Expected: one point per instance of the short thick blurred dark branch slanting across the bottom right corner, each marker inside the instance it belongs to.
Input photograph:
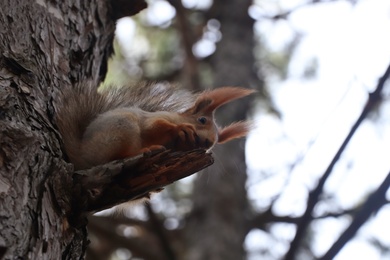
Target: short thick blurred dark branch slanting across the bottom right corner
(372, 205)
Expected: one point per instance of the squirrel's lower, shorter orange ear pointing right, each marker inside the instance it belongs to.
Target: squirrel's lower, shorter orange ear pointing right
(233, 131)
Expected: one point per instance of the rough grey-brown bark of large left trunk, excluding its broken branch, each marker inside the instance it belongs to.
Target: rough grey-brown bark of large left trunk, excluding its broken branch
(44, 45)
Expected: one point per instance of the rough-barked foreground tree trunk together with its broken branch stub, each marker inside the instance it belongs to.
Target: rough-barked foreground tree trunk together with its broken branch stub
(44, 46)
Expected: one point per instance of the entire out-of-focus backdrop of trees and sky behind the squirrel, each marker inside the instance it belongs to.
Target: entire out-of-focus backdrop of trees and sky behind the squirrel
(311, 180)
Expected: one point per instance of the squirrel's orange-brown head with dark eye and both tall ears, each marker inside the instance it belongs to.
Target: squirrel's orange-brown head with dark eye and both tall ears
(202, 116)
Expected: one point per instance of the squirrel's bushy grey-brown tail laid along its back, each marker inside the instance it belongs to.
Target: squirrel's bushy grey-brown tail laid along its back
(77, 107)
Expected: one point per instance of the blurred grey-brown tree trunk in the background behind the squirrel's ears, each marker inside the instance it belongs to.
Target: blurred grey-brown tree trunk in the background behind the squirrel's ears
(217, 226)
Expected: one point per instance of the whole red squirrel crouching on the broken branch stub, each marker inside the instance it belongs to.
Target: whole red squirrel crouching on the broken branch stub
(116, 123)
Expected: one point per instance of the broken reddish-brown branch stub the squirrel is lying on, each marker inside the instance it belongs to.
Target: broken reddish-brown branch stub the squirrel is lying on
(108, 185)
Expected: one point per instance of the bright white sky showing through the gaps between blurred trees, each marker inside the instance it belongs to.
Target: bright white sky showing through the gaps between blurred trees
(351, 46)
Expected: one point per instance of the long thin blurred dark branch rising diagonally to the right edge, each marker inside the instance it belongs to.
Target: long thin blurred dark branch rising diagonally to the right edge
(374, 99)
